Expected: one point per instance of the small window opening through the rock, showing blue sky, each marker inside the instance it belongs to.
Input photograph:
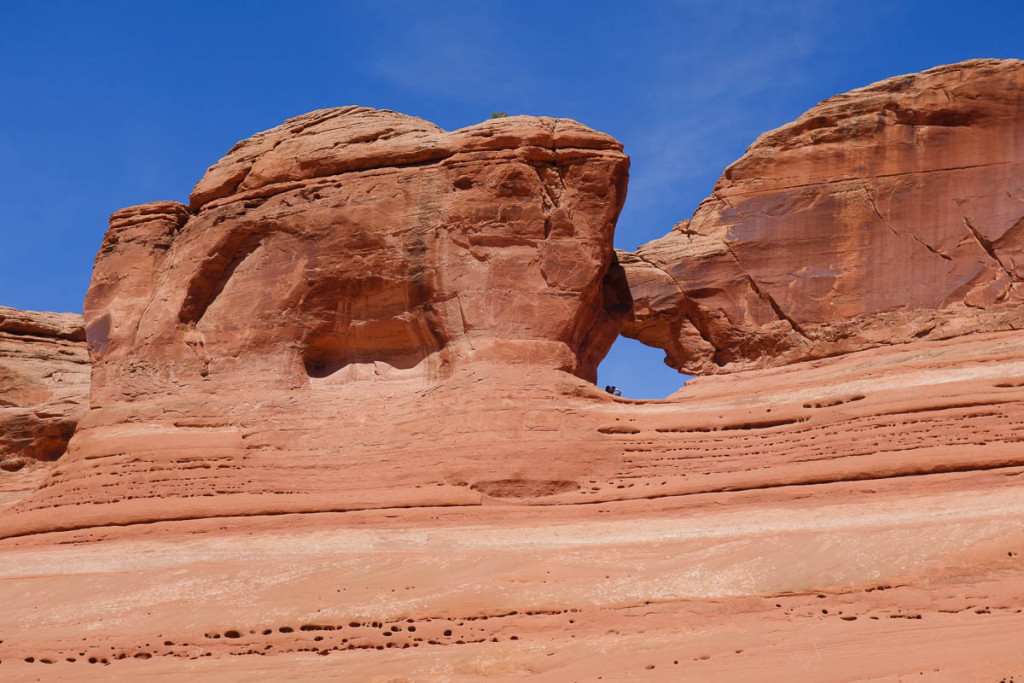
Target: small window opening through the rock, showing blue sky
(639, 371)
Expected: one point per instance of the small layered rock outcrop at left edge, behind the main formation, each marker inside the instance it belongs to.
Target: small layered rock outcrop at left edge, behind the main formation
(45, 392)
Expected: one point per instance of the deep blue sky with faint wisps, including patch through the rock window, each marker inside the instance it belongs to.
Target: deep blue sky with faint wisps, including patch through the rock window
(107, 105)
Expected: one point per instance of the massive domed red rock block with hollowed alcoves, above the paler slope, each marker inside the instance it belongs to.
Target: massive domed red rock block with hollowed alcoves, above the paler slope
(352, 244)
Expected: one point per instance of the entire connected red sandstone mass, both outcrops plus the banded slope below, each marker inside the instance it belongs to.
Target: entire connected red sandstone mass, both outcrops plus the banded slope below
(344, 422)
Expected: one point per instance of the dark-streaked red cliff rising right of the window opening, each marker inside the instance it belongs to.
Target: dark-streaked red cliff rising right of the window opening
(891, 214)
